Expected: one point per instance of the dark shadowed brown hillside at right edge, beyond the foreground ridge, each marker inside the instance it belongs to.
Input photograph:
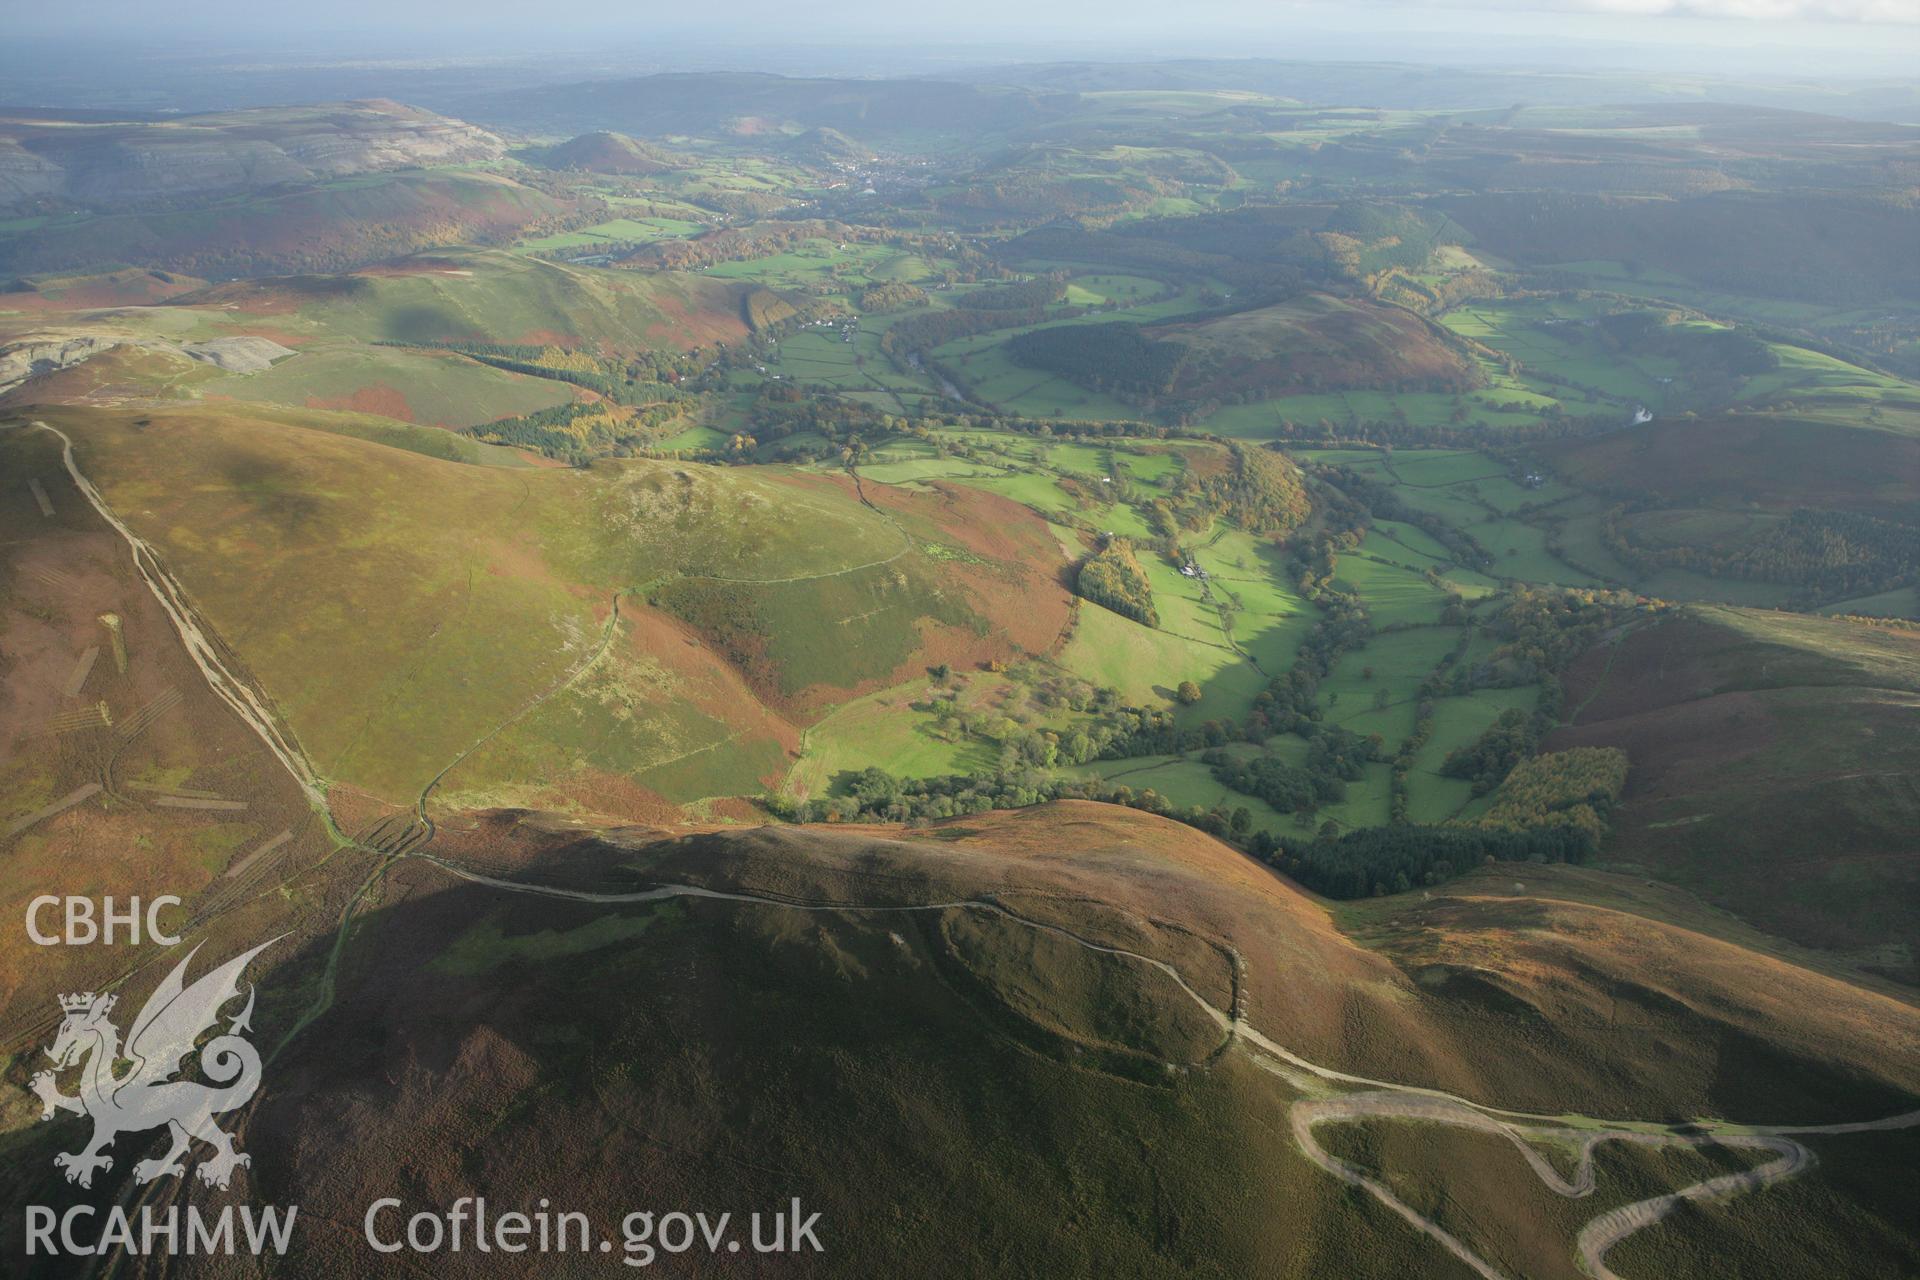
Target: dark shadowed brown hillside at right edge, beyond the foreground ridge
(1773, 770)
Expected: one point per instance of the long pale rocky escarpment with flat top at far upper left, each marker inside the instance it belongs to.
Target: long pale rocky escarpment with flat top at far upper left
(132, 164)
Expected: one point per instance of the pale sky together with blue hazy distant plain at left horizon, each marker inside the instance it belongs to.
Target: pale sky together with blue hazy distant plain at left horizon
(233, 53)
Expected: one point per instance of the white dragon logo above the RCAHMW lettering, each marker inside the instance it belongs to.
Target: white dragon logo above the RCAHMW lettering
(145, 1097)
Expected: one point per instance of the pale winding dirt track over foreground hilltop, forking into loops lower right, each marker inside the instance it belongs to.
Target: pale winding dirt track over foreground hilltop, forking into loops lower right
(1383, 1099)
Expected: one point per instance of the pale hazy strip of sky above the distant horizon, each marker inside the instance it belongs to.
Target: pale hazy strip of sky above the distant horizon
(1714, 37)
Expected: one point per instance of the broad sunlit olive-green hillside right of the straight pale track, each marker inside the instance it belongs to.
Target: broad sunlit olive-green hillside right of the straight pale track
(402, 607)
